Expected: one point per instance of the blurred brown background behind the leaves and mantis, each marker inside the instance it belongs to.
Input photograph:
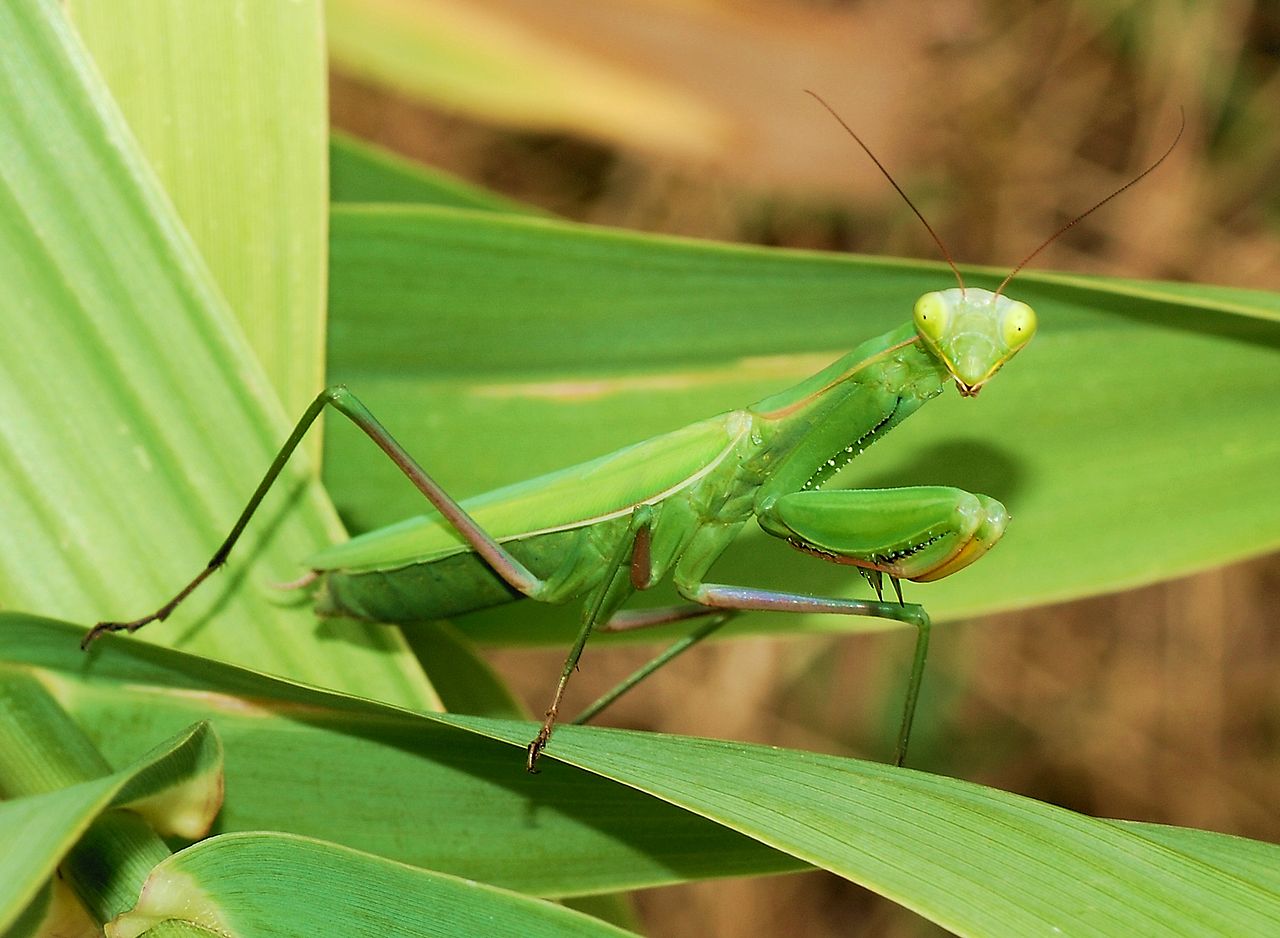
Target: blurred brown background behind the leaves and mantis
(1003, 121)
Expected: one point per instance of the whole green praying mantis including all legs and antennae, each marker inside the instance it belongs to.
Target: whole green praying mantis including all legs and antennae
(673, 505)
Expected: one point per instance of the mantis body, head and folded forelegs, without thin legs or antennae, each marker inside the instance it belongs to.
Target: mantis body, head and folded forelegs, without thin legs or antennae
(696, 488)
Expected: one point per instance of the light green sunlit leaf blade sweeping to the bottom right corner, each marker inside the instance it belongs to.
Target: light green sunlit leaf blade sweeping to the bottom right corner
(976, 861)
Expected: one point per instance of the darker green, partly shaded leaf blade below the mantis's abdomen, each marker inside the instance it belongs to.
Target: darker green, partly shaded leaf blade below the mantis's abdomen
(385, 781)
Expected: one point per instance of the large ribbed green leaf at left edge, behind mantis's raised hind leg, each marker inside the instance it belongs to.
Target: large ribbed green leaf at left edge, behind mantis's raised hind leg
(134, 419)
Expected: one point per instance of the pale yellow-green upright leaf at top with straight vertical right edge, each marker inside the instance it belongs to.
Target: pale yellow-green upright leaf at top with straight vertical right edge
(231, 113)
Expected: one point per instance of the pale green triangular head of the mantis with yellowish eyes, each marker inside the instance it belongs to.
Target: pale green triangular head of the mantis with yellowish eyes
(973, 332)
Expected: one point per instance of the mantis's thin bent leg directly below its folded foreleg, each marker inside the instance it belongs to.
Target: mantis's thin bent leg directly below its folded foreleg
(742, 598)
